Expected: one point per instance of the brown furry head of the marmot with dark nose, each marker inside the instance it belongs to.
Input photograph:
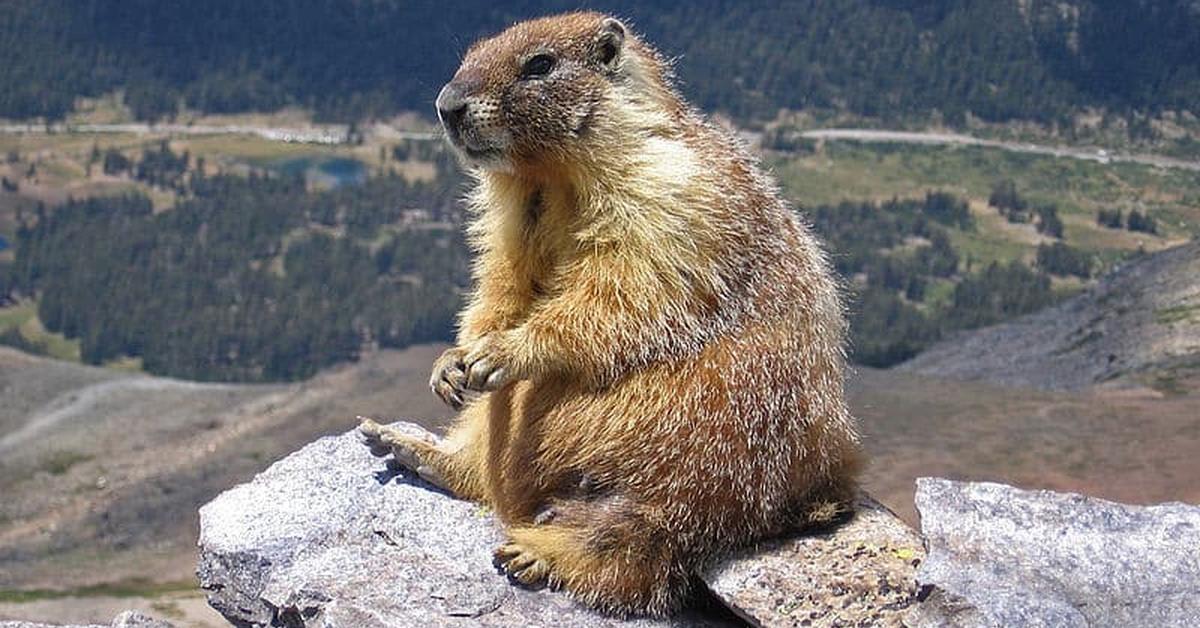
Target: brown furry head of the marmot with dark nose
(536, 92)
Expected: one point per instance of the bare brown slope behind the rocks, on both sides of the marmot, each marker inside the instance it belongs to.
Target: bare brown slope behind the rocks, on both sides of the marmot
(106, 469)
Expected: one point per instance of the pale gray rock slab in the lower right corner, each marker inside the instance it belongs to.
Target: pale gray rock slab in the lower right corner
(1003, 557)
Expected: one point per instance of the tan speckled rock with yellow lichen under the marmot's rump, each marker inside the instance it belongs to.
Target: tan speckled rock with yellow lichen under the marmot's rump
(860, 575)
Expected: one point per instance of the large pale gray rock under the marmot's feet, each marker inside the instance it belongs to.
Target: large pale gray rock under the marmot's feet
(333, 537)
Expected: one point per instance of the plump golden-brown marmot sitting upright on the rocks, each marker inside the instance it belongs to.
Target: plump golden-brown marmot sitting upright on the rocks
(658, 339)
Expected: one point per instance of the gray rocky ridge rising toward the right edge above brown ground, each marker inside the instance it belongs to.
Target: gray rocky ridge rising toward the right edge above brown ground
(1138, 326)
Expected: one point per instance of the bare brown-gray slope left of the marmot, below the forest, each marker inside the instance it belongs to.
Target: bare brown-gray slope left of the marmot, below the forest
(109, 468)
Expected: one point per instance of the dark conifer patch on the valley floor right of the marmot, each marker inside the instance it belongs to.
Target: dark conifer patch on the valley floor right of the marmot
(896, 253)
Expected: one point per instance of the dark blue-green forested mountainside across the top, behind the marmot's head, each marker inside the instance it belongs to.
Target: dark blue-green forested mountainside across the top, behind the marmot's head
(351, 59)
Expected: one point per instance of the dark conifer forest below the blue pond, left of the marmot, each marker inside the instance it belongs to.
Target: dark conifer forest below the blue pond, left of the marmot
(250, 278)
